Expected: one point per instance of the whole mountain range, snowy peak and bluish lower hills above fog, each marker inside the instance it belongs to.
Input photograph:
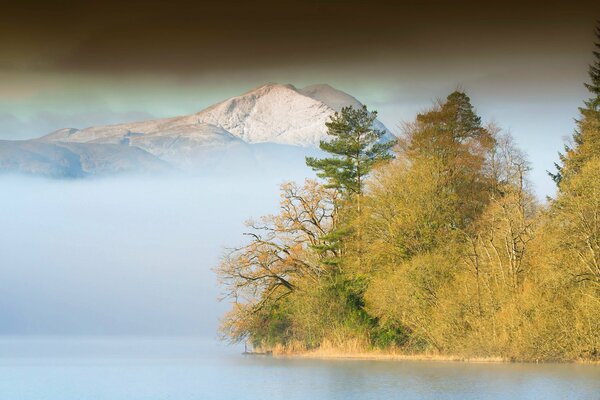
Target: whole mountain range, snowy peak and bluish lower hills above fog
(237, 129)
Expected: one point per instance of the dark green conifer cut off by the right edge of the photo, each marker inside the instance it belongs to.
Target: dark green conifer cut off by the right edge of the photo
(586, 139)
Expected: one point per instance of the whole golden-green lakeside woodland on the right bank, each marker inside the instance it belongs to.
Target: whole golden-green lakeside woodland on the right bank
(431, 243)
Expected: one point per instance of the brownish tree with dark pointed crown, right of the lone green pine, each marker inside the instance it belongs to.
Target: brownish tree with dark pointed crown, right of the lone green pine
(450, 137)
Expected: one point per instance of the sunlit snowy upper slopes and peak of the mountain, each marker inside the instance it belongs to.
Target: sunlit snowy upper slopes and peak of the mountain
(272, 113)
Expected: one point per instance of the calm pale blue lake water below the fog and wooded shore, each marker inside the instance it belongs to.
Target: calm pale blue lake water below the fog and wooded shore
(185, 369)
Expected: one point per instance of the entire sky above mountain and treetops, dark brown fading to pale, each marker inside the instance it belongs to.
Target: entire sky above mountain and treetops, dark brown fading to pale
(86, 63)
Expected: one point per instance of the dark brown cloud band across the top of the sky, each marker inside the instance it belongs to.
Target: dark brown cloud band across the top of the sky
(196, 38)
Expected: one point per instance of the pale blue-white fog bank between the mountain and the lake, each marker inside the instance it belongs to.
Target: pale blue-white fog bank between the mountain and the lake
(122, 256)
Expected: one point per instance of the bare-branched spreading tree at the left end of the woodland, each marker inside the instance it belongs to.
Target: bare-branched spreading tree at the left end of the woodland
(280, 251)
